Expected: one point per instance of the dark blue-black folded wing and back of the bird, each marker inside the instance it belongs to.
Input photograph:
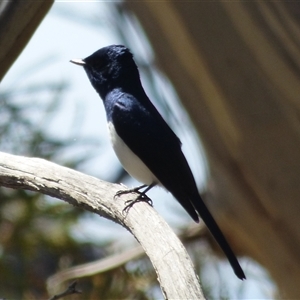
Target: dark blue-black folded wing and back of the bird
(148, 136)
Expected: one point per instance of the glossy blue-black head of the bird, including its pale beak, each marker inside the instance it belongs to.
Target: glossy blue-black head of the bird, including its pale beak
(110, 67)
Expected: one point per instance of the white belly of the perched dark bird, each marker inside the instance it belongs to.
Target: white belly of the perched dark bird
(131, 163)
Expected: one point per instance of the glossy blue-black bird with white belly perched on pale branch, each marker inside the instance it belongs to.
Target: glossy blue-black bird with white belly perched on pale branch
(144, 143)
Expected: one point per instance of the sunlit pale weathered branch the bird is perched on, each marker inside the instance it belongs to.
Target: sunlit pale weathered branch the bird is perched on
(169, 258)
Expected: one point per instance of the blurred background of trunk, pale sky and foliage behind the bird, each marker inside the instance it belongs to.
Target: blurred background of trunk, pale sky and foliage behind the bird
(225, 77)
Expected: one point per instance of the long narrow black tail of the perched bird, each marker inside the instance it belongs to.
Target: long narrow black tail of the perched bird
(218, 235)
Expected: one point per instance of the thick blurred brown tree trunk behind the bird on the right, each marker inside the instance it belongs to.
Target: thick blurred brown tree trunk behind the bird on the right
(235, 66)
